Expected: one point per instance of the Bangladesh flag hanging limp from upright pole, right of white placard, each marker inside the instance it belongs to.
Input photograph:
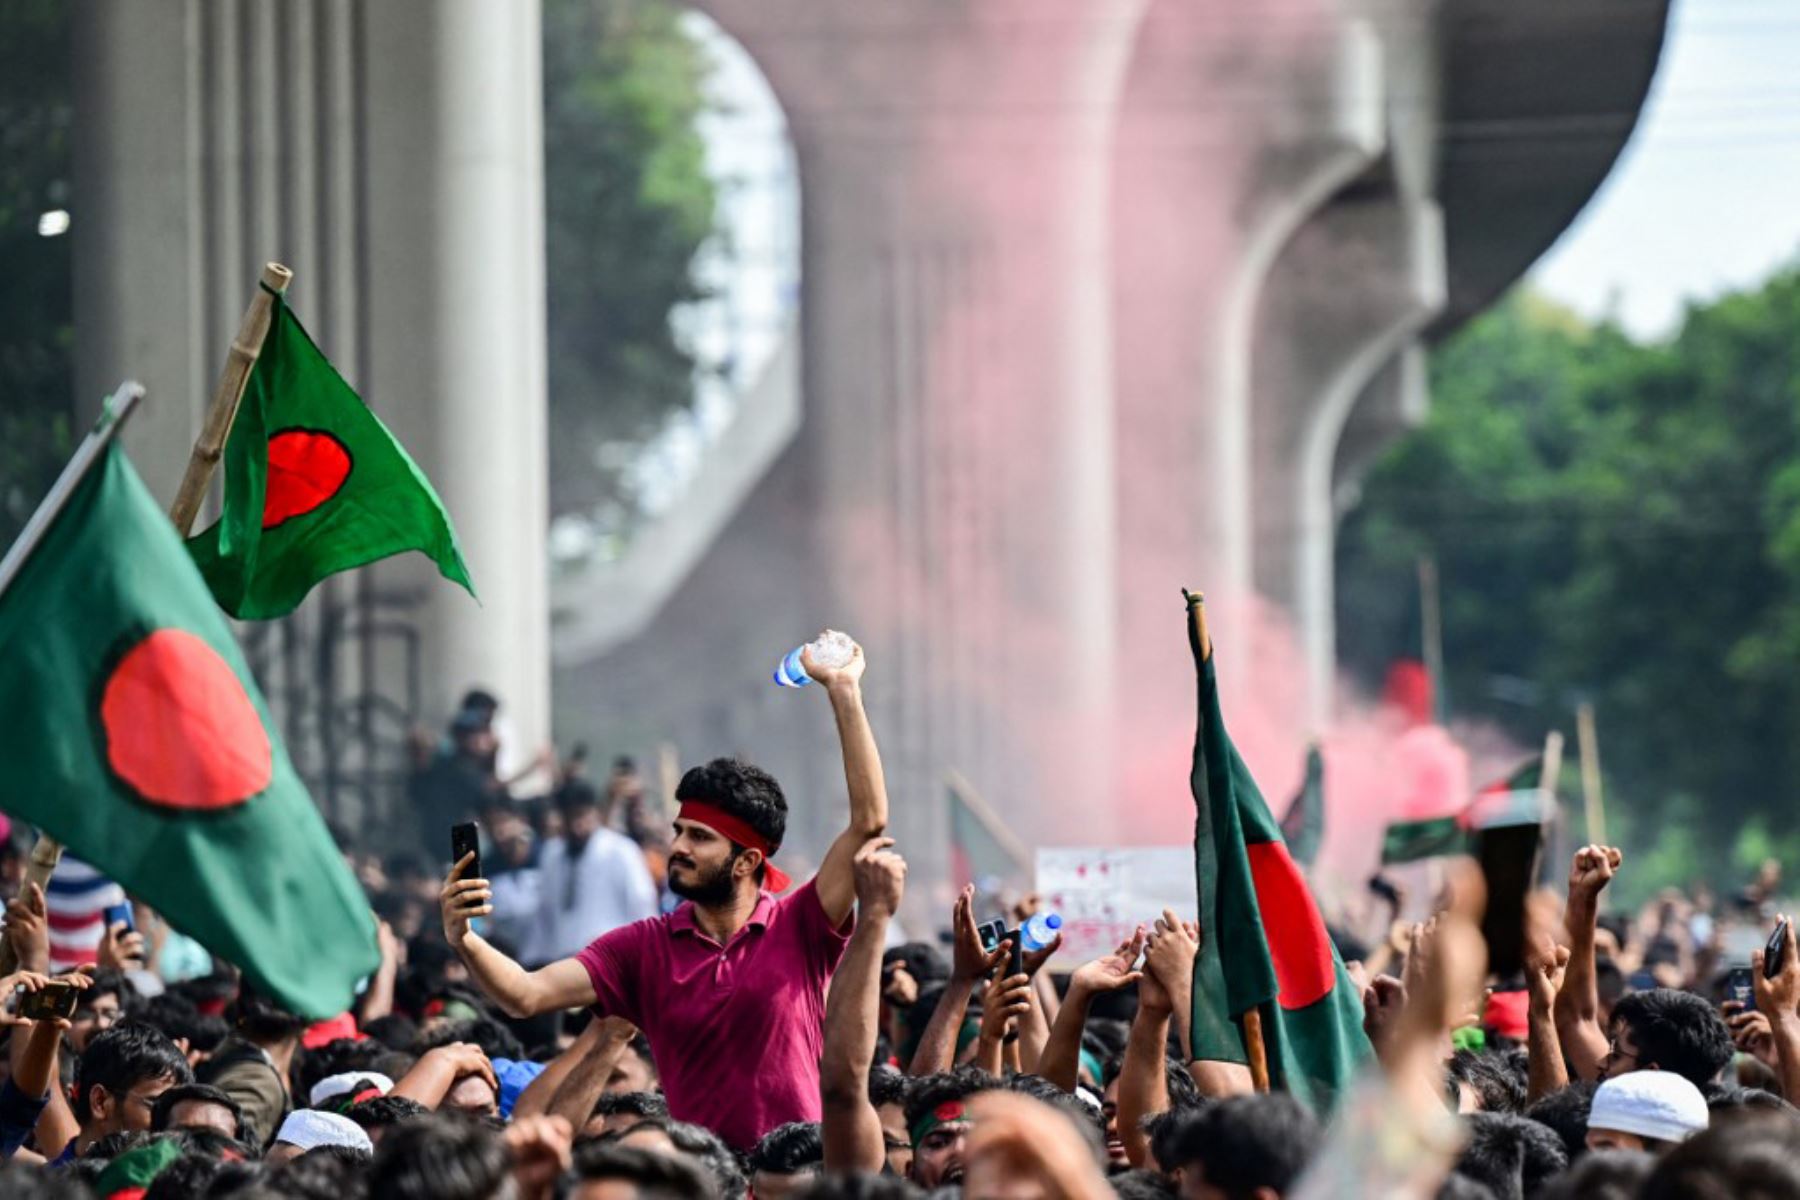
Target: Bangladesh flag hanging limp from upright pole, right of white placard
(1264, 945)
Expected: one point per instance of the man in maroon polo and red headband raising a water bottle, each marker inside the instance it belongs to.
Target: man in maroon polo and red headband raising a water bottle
(730, 989)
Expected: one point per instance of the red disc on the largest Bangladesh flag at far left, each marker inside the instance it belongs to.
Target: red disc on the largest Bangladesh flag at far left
(181, 730)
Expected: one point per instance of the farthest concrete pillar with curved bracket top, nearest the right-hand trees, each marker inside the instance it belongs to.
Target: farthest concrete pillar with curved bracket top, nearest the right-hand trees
(1351, 294)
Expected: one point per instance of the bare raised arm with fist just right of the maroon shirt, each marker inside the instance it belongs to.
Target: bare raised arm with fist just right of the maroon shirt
(852, 1016)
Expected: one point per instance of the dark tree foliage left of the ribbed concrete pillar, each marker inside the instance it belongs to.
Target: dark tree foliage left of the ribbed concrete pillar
(37, 303)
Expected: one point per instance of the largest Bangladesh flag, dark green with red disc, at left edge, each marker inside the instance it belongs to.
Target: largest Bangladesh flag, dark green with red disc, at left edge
(134, 735)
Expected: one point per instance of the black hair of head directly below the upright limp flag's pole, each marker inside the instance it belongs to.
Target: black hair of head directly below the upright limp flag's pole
(1245, 1143)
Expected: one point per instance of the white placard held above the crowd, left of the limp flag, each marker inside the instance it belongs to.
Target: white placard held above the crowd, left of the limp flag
(1104, 893)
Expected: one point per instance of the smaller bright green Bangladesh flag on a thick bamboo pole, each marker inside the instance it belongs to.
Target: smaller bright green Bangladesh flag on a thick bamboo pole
(314, 485)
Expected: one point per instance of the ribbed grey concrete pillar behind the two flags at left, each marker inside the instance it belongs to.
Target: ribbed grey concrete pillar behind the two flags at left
(391, 154)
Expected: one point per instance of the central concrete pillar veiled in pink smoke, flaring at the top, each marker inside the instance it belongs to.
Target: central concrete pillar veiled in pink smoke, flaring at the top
(958, 425)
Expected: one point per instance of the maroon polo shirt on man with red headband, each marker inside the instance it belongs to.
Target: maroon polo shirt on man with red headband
(737, 1030)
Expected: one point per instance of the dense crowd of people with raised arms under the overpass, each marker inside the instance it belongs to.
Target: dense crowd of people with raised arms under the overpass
(613, 1010)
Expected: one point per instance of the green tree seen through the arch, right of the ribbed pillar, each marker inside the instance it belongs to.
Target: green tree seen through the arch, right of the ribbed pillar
(629, 204)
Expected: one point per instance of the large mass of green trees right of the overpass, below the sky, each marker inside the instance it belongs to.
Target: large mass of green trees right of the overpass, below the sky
(1621, 523)
